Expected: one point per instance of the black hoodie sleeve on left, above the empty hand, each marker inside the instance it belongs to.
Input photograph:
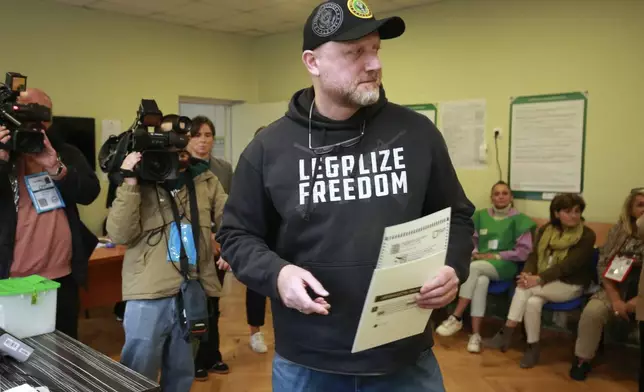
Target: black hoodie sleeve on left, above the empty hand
(249, 222)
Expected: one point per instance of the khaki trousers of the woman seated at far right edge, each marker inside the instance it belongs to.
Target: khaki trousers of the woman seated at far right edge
(591, 324)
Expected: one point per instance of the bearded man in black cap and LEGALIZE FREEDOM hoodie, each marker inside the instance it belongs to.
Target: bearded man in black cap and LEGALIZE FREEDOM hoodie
(310, 200)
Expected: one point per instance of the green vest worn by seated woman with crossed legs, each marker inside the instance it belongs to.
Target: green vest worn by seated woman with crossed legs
(498, 235)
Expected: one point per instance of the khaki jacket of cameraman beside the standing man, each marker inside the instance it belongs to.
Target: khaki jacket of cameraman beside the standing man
(139, 217)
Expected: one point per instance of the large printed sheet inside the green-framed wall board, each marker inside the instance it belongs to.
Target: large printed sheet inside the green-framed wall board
(547, 138)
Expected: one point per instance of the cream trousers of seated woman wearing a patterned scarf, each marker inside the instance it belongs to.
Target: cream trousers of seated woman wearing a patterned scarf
(527, 304)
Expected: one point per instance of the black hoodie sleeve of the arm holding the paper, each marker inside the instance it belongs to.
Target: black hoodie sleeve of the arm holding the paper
(444, 191)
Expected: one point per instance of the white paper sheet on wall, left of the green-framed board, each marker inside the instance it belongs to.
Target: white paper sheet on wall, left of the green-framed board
(463, 126)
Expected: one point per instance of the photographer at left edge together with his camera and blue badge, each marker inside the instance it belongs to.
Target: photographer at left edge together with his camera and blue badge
(42, 180)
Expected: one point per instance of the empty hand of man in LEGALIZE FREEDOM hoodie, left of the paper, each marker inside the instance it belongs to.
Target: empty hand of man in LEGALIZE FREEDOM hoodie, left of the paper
(291, 284)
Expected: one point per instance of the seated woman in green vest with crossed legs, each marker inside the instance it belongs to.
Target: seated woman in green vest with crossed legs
(502, 237)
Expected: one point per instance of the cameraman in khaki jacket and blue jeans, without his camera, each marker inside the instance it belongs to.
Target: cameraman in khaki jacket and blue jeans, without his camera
(141, 217)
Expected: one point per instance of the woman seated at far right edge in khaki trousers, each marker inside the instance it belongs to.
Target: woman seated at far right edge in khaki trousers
(618, 297)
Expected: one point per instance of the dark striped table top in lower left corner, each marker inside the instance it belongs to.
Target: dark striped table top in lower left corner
(61, 363)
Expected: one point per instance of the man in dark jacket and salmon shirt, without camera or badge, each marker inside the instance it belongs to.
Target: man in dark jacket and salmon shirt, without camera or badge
(64, 244)
